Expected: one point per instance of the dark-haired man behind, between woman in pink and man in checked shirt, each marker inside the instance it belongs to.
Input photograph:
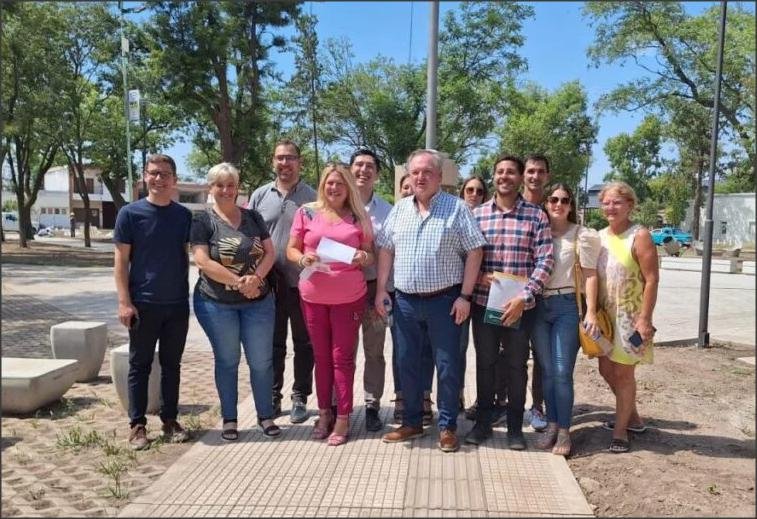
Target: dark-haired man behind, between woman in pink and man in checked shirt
(364, 165)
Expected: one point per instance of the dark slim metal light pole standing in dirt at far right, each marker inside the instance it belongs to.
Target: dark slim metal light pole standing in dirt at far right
(704, 295)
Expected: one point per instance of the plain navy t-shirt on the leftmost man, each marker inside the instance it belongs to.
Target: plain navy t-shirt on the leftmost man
(158, 261)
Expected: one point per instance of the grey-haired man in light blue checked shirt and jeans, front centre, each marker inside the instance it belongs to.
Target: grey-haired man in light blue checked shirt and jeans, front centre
(435, 247)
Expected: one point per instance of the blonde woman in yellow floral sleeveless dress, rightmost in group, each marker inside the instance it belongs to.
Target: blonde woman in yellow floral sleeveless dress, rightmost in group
(628, 278)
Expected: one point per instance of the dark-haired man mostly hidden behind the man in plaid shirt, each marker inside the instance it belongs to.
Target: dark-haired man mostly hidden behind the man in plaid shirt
(536, 176)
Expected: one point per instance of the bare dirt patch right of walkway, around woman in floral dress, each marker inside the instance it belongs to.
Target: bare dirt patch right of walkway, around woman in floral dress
(697, 458)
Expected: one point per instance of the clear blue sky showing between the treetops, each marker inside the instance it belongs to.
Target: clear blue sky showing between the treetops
(556, 41)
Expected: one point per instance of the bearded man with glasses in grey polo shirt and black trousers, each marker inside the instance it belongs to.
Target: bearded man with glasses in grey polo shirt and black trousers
(277, 202)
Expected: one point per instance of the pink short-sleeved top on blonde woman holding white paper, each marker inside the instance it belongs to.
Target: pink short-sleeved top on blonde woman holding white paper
(344, 283)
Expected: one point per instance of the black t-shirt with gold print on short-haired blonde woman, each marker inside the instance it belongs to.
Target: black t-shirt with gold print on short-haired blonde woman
(239, 250)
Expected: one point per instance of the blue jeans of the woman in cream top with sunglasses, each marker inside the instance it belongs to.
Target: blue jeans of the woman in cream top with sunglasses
(555, 337)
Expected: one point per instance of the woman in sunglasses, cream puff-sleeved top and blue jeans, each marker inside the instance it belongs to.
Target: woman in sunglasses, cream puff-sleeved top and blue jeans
(555, 332)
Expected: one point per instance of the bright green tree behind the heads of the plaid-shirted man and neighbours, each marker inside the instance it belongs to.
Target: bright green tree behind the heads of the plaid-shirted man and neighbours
(555, 124)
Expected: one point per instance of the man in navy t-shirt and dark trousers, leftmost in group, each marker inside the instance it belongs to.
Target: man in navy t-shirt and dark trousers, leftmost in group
(152, 280)
